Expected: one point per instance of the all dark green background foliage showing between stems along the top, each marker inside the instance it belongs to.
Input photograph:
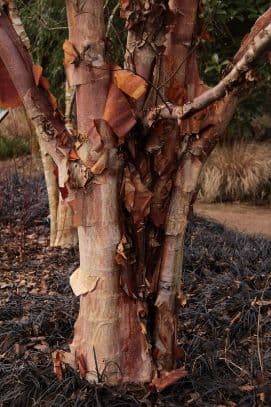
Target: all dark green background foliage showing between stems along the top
(225, 22)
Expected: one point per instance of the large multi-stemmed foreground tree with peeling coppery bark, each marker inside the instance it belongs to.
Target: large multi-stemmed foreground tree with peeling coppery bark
(130, 171)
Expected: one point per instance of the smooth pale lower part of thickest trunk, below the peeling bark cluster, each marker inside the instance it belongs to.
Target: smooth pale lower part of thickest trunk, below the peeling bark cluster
(107, 331)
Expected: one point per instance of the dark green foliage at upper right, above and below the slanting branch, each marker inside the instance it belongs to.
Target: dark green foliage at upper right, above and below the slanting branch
(226, 23)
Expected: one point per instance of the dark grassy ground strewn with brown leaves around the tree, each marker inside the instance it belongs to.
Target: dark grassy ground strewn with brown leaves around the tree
(225, 323)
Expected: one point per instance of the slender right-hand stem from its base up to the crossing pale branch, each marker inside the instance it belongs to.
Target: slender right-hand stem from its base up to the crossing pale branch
(181, 206)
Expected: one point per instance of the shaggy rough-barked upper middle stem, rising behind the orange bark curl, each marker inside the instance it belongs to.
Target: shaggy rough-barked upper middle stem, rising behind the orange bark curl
(145, 44)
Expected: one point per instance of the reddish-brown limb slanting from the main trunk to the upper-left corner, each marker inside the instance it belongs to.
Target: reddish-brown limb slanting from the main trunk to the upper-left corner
(18, 66)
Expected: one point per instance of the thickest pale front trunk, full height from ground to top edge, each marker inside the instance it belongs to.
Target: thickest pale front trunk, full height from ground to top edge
(113, 345)
